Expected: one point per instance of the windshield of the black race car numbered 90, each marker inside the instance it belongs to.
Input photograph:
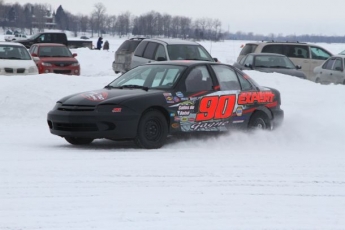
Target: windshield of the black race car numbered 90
(149, 76)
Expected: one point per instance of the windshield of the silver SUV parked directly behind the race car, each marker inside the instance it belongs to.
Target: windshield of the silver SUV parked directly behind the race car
(188, 52)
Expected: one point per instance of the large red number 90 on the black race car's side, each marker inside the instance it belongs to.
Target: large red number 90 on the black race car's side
(215, 107)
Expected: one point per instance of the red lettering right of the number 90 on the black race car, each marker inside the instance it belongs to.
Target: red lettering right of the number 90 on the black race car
(253, 97)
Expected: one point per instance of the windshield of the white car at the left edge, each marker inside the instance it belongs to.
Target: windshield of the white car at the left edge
(14, 52)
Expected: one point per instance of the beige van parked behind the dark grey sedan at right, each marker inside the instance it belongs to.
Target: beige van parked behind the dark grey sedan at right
(306, 55)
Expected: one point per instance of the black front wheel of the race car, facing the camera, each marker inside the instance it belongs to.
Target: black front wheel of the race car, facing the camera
(152, 130)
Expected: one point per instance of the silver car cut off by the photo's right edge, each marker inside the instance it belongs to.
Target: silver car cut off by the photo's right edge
(331, 71)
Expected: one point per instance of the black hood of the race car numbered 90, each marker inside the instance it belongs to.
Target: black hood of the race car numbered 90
(107, 96)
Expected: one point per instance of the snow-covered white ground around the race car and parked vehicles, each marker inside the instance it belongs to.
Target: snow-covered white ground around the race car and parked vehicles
(290, 178)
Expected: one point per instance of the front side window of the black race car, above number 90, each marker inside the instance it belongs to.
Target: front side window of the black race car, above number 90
(198, 79)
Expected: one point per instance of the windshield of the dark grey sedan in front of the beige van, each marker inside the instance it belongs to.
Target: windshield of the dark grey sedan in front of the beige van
(266, 61)
